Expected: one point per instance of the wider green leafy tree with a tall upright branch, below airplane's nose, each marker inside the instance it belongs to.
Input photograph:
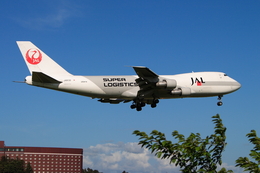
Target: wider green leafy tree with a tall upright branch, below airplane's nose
(192, 154)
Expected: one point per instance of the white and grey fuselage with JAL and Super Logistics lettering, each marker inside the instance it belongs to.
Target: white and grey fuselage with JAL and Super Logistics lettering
(201, 84)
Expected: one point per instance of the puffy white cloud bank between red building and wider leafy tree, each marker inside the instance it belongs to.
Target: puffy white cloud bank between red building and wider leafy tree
(115, 158)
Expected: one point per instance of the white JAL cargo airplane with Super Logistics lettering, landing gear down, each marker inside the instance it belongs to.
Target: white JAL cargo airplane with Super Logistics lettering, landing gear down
(146, 87)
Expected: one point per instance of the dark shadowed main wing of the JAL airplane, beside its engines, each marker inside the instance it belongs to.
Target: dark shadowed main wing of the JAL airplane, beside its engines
(147, 81)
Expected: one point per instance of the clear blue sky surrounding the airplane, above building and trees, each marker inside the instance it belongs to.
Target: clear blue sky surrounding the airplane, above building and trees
(105, 38)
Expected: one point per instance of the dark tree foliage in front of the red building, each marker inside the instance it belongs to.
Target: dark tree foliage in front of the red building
(8, 165)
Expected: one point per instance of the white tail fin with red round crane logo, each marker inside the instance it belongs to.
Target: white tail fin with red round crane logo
(37, 61)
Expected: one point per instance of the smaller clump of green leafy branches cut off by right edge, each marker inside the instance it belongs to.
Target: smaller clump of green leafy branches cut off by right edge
(244, 162)
